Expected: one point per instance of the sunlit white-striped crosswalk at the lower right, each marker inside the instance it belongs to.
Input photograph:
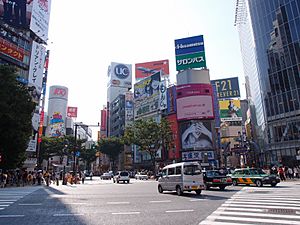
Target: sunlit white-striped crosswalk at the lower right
(259, 205)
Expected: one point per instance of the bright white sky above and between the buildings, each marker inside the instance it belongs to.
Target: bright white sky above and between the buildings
(85, 36)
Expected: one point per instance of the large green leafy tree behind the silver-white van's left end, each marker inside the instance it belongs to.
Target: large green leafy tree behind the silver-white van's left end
(150, 136)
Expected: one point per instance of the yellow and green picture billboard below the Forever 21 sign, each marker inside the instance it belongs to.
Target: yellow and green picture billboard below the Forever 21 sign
(230, 110)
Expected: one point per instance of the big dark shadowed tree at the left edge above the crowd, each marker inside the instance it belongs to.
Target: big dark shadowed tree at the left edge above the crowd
(15, 118)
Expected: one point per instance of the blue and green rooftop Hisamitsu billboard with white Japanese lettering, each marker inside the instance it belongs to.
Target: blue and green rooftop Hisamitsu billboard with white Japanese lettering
(190, 53)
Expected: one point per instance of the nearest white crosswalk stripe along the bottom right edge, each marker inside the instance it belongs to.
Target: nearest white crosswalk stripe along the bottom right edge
(261, 220)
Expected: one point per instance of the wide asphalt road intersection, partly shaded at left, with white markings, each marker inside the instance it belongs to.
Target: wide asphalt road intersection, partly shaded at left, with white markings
(103, 202)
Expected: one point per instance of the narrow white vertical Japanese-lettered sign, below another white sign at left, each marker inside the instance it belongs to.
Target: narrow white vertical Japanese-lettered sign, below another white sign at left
(36, 70)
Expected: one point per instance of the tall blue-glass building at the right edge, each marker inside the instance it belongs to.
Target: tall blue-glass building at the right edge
(270, 35)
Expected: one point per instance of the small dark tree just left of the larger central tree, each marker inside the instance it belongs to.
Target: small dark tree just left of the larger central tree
(112, 147)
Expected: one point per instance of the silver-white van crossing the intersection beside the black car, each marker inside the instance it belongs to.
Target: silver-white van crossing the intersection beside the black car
(180, 177)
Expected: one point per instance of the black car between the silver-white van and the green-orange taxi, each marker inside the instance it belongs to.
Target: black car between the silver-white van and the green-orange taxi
(213, 178)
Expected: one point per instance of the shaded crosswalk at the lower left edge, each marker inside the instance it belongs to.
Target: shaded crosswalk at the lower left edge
(9, 196)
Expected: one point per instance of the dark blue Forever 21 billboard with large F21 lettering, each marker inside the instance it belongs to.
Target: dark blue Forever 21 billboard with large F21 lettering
(227, 88)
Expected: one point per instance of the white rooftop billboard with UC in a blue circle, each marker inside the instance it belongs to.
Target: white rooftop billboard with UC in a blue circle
(120, 75)
